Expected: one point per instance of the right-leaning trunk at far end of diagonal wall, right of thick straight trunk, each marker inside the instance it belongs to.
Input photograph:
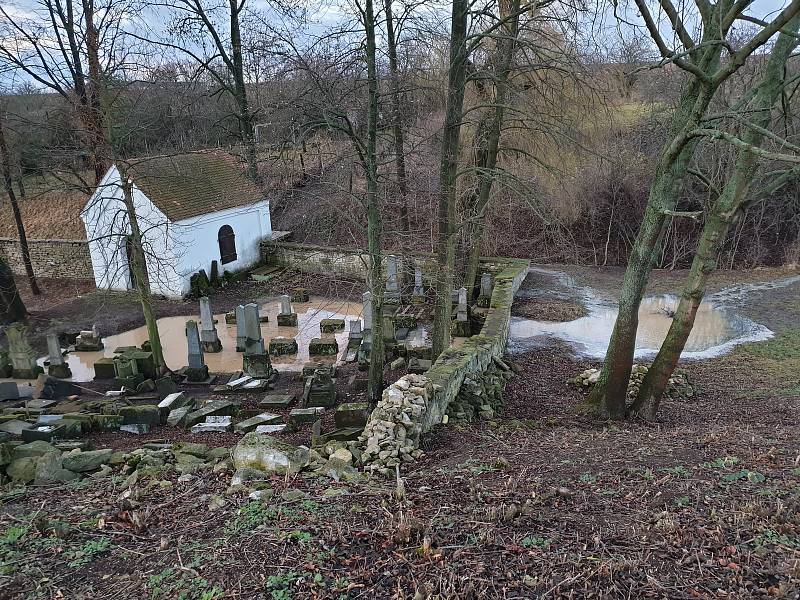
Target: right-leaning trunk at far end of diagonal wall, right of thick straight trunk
(488, 140)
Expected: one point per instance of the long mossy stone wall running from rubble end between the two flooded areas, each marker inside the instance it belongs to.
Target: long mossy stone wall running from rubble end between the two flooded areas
(404, 413)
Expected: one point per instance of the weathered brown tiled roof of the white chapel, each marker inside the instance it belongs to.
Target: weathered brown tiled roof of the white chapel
(192, 184)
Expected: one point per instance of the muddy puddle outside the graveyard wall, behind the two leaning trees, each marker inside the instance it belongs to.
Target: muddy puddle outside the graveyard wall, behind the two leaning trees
(717, 328)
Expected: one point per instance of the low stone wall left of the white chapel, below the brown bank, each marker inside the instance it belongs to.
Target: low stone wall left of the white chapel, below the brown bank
(59, 259)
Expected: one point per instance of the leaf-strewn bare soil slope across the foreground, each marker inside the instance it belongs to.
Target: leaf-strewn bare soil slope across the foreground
(540, 503)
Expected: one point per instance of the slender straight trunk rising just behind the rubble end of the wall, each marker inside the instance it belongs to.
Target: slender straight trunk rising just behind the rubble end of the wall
(373, 211)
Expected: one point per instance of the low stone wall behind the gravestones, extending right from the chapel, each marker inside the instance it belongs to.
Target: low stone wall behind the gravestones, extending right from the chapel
(353, 263)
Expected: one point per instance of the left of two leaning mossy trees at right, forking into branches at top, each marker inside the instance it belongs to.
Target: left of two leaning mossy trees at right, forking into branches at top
(701, 59)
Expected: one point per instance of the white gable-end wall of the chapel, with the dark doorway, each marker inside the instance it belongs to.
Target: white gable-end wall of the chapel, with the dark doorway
(106, 223)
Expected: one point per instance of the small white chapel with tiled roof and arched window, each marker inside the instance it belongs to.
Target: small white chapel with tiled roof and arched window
(192, 209)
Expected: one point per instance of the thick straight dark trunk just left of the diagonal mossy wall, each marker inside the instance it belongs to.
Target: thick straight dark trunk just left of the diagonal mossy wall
(451, 146)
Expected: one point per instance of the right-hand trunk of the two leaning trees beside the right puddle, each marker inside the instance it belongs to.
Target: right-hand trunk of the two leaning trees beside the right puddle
(725, 212)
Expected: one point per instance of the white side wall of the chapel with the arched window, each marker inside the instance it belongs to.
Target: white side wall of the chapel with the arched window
(195, 242)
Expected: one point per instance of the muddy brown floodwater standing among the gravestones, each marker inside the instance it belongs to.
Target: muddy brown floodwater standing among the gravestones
(173, 338)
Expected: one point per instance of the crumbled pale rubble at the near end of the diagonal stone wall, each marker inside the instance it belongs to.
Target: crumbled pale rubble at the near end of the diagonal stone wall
(394, 427)
